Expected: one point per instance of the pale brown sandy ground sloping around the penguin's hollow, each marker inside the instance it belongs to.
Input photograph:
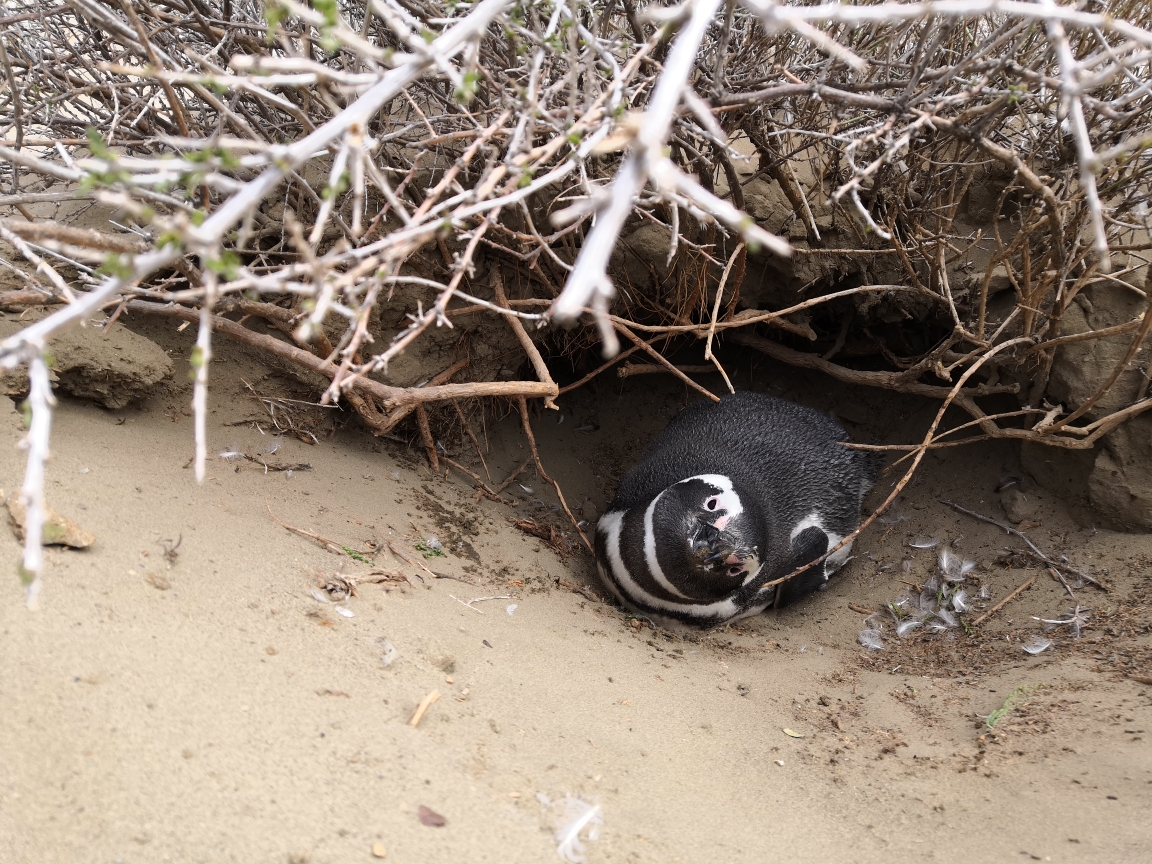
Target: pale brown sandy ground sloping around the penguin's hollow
(210, 709)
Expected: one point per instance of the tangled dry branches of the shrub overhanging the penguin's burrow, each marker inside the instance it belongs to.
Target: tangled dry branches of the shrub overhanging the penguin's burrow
(935, 186)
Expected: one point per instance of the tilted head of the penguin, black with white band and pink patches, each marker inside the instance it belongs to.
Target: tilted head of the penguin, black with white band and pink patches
(704, 536)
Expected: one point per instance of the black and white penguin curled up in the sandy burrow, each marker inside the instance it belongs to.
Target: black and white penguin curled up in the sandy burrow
(732, 496)
